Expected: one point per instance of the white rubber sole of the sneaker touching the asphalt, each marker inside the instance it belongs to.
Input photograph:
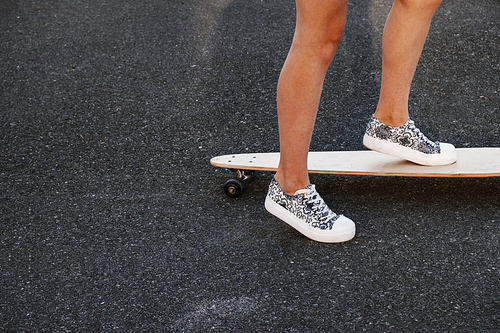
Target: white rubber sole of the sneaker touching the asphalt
(343, 229)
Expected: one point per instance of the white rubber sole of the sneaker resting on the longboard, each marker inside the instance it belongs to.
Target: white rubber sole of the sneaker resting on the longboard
(447, 156)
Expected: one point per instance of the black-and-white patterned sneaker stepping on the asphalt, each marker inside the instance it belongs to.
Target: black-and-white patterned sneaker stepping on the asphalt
(308, 213)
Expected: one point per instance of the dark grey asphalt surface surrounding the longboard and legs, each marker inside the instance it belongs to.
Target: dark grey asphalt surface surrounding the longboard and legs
(112, 218)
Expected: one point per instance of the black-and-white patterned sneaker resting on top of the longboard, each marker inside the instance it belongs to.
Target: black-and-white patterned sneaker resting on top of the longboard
(407, 142)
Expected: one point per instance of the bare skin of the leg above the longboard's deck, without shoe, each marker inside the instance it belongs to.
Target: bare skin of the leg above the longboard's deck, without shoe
(404, 36)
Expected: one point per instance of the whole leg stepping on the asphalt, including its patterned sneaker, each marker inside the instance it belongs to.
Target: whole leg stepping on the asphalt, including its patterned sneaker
(291, 197)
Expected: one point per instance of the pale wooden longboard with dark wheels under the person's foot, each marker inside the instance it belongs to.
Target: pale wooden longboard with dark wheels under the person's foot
(471, 162)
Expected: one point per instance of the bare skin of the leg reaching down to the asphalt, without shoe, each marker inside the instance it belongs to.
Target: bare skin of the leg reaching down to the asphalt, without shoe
(319, 29)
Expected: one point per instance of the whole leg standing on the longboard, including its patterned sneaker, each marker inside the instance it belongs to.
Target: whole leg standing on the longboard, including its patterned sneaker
(390, 131)
